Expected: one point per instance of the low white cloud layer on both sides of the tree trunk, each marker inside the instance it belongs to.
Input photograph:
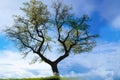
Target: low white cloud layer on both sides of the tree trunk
(103, 62)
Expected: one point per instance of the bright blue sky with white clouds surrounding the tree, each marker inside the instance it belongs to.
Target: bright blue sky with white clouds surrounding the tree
(103, 62)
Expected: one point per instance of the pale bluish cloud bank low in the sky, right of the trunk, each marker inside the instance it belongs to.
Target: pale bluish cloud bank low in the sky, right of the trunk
(102, 63)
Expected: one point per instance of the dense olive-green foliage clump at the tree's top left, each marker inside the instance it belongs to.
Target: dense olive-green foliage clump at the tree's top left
(36, 12)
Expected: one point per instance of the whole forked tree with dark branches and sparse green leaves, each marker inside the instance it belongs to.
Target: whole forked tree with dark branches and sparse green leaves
(31, 32)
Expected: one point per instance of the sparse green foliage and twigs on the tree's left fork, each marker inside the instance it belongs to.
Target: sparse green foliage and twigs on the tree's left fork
(27, 30)
